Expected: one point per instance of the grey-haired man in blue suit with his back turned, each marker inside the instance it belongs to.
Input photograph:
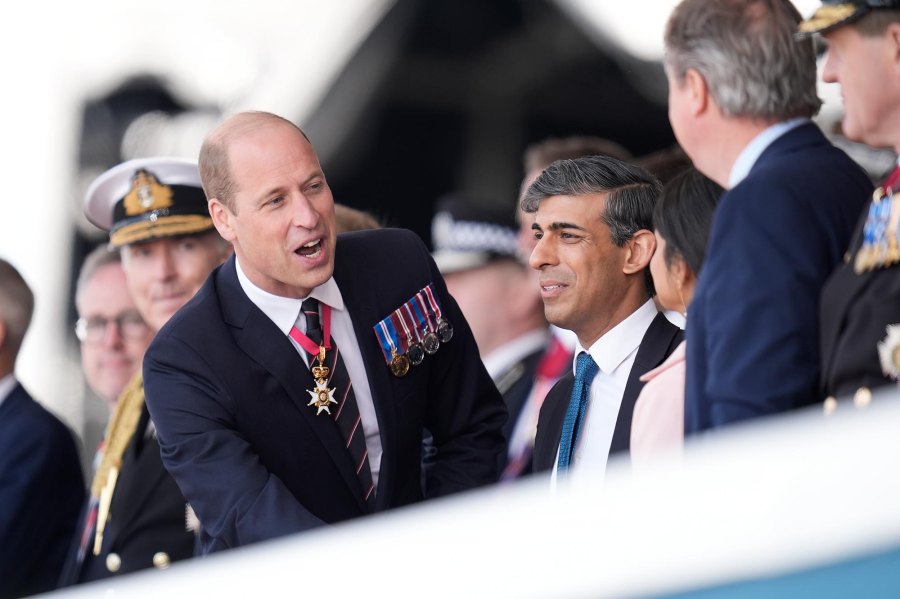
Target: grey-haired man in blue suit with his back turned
(741, 93)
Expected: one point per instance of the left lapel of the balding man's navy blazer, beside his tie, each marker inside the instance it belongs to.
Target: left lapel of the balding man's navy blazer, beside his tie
(260, 339)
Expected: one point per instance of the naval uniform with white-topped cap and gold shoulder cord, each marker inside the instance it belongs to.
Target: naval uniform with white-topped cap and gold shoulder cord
(137, 517)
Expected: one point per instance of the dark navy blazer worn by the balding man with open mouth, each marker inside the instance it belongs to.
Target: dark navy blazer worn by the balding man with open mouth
(228, 394)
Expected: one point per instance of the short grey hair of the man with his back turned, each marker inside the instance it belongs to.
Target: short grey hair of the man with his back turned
(747, 53)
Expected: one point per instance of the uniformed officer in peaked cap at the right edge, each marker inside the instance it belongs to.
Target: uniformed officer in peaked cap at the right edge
(860, 303)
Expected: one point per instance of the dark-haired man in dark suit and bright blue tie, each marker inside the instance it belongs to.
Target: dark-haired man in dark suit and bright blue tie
(593, 225)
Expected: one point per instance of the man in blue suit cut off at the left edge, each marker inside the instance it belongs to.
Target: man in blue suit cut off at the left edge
(41, 485)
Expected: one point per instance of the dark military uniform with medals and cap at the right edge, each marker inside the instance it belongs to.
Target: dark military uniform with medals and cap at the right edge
(860, 303)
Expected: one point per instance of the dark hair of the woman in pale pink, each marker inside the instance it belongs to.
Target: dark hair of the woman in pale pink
(683, 216)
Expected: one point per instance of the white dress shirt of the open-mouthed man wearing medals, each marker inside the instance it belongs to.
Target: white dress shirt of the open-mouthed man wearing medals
(285, 313)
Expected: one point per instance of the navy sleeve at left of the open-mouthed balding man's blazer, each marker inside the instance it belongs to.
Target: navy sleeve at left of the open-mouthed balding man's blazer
(233, 494)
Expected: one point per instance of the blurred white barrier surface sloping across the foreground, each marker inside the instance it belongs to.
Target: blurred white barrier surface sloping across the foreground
(769, 498)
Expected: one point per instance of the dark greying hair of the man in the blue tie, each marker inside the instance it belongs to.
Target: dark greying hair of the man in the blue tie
(632, 193)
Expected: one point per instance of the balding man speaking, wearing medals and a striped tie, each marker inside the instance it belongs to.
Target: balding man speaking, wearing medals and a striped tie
(294, 389)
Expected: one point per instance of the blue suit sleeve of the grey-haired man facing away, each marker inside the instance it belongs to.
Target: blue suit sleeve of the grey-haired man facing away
(763, 275)
